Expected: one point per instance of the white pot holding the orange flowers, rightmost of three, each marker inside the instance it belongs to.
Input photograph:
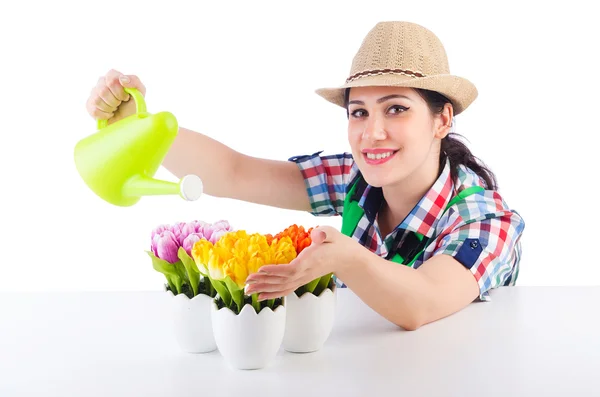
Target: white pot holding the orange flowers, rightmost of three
(309, 320)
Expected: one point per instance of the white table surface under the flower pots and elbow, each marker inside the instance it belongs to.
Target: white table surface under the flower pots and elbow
(530, 341)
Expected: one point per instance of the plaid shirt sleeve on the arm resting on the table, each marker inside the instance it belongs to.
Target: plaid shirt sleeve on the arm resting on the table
(488, 244)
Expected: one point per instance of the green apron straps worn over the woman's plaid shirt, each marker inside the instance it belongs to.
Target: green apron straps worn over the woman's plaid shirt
(353, 213)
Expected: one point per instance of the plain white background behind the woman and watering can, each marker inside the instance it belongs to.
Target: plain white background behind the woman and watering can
(245, 73)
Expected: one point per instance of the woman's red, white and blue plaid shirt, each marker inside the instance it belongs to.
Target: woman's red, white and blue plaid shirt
(480, 232)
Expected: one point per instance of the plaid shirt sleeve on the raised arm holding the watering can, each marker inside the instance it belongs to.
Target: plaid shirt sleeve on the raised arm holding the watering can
(326, 179)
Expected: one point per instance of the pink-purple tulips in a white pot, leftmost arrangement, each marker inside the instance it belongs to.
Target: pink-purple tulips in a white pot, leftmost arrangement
(190, 289)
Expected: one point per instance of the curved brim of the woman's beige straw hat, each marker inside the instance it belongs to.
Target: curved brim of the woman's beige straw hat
(460, 91)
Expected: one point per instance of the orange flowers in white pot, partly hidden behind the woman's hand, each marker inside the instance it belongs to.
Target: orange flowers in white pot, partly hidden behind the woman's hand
(310, 310)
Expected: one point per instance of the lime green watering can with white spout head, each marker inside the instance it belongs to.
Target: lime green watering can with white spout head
(118, 162)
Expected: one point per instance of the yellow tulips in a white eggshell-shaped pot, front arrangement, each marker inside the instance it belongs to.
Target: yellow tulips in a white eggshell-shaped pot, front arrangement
(248, 333)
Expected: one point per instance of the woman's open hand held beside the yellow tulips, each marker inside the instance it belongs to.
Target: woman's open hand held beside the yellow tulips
(329, 249)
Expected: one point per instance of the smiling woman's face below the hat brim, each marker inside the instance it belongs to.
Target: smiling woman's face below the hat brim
(392, 133)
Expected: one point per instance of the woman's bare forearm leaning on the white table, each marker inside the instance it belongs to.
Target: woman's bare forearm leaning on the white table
(410, 297)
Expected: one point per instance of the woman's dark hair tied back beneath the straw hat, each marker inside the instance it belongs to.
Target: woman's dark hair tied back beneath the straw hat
(452, 148)
